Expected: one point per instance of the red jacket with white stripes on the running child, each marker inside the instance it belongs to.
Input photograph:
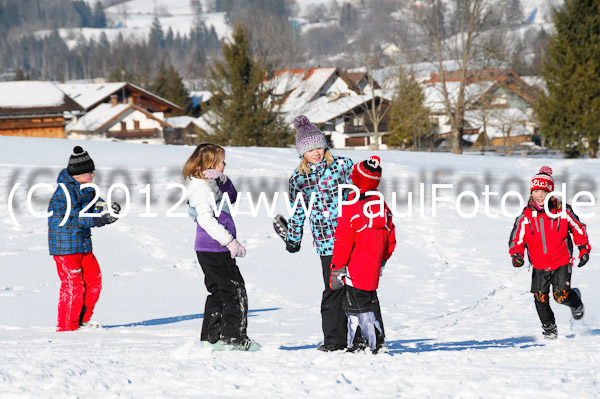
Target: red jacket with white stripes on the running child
(548, 240)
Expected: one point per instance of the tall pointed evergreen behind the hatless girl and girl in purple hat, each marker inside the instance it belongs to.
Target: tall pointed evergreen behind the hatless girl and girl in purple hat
(240, 112)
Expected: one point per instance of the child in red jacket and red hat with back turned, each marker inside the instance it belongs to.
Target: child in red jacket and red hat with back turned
(364, 240)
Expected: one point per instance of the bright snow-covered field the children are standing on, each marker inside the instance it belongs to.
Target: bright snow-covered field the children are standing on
(460, 320)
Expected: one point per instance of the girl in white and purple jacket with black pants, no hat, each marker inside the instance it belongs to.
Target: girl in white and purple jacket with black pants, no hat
(226, 308)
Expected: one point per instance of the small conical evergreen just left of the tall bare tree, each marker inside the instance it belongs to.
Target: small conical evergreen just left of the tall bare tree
(409, 118)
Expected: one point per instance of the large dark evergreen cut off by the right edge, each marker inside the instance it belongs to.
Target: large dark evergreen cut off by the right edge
(569, 114)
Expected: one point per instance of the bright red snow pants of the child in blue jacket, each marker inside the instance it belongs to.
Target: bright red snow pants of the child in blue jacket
(80, 285)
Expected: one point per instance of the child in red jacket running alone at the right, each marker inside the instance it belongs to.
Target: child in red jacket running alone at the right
(550, 250)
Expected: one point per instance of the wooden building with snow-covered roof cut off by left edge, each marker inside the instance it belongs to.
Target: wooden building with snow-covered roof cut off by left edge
(34, 109)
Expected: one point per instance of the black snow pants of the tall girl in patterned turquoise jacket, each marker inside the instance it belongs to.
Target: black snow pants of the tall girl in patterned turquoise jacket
(333, 317)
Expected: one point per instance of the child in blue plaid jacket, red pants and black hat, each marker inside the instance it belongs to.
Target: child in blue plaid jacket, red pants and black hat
(70, 243)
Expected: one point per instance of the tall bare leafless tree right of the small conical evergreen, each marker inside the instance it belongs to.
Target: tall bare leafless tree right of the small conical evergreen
(472, 39)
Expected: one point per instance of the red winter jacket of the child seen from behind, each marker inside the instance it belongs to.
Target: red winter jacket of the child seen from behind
(362, 244)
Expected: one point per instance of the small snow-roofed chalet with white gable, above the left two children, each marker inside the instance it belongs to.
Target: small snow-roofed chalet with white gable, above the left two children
(118, 121)
